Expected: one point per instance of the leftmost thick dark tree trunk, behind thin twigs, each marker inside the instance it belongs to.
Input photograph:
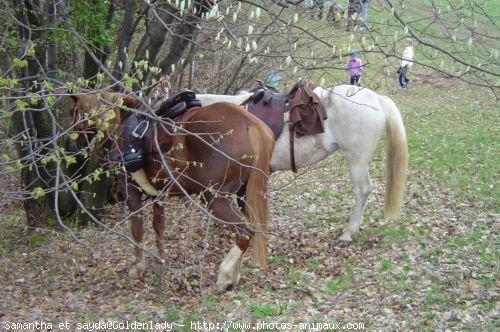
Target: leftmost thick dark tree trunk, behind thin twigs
(37, 123)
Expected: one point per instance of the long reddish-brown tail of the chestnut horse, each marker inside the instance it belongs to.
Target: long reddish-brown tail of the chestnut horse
(262, 142)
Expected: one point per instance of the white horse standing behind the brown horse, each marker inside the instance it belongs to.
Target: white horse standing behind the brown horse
(357, 118)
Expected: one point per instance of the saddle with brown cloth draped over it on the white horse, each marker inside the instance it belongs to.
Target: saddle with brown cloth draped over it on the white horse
(306, 113)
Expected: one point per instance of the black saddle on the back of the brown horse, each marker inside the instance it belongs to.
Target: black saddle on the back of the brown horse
(138, 136)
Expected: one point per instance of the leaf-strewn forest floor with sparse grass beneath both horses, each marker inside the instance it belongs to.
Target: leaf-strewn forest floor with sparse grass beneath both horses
(436, 268)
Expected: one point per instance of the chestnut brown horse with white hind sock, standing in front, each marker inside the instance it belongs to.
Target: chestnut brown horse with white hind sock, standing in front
(219, 151)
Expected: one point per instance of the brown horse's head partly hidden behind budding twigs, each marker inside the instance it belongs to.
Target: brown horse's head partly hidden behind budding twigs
(94, 114)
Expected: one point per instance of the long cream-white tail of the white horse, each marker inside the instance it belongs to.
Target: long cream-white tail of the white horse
(397, 159)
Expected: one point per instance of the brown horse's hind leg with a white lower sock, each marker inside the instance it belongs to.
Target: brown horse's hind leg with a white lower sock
(229, 270)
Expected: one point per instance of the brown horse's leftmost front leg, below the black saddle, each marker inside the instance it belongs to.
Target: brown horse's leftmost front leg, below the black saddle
(136, 227)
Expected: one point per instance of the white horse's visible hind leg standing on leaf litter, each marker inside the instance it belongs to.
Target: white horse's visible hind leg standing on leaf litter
(360, 176)
